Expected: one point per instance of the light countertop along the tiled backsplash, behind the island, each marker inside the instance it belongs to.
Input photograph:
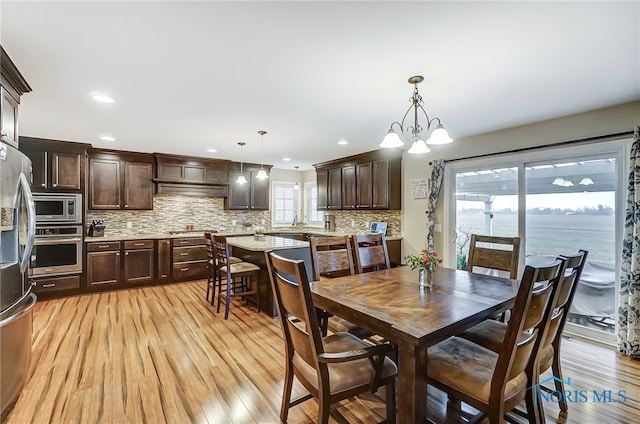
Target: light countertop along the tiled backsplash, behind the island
(281, 230)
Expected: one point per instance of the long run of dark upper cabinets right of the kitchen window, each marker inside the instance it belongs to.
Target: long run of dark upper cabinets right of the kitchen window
(371, 180)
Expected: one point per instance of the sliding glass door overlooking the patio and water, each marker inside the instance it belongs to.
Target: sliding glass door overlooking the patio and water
(558, 202)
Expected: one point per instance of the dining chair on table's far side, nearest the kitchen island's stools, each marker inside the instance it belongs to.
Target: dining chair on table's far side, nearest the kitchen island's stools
(331, 256)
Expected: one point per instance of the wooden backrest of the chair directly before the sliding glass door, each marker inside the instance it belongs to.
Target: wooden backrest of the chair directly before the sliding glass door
(498, 253)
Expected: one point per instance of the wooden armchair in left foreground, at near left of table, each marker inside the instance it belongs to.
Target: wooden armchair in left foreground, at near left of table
(330, 368)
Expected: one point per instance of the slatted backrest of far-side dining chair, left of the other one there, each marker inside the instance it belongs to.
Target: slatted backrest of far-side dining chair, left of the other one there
(331, 256)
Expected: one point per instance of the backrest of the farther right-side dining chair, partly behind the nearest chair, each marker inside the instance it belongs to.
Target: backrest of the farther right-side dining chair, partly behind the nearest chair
(567, 290)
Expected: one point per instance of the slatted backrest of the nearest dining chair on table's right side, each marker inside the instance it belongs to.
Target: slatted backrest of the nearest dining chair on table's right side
(532, 305)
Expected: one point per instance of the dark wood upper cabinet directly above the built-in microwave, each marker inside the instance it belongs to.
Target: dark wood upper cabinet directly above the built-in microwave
(56, 165)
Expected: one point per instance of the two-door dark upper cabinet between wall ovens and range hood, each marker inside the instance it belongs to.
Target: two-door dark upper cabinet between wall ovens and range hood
(120, 181)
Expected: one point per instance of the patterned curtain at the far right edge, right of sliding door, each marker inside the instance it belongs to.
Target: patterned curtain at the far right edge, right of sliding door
(629, 304)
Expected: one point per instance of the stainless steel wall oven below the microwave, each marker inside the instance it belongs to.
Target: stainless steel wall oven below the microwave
(57, 250)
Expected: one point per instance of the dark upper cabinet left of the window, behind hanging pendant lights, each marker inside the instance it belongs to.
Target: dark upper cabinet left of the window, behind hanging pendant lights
(253, 195)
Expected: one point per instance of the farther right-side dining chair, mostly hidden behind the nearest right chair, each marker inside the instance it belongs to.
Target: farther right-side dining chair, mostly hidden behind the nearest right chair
(490, 333)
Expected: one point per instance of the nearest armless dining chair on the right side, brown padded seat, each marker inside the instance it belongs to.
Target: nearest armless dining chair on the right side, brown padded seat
(496, 382)
